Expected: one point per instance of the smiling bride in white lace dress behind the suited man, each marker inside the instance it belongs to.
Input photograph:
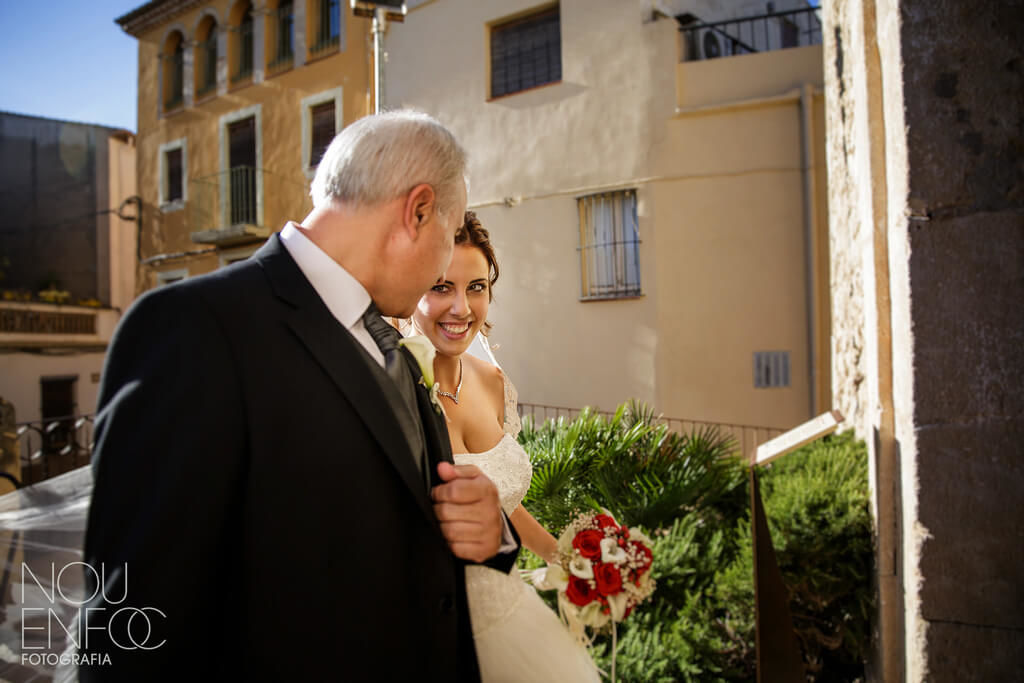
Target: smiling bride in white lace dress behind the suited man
(518, 637)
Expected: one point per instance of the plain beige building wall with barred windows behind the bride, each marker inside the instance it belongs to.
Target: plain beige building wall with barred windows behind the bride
(660, 221)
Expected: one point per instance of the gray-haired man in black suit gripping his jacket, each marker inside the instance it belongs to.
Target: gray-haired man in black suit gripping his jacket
(275, 498)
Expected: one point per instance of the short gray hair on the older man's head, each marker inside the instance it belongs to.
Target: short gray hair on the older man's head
(383, 156)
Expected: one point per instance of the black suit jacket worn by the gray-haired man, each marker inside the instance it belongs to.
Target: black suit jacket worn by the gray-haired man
(255, 499)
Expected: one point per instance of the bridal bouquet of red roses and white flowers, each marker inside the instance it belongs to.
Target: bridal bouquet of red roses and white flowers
(604, 573)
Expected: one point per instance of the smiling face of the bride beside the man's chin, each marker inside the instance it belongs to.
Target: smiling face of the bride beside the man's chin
(456, 308)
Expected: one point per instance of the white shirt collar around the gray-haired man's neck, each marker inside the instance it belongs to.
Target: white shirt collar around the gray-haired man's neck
(344, 295)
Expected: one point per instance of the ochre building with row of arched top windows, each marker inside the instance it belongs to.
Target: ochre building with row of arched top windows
(237, 100)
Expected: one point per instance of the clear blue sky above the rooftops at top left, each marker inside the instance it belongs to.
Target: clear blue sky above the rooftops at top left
(68, 60)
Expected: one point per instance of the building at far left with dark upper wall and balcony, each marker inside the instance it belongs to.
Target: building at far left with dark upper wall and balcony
(68, 267)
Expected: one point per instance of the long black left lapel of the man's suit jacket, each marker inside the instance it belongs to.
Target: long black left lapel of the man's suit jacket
(339, 355)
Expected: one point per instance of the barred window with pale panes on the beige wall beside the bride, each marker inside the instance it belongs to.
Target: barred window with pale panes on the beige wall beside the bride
(610, 254)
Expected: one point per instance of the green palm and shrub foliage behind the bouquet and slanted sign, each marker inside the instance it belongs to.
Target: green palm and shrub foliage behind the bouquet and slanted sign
(691, 495)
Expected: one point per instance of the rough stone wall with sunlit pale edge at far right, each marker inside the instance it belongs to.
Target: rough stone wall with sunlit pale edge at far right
(927, 198)
